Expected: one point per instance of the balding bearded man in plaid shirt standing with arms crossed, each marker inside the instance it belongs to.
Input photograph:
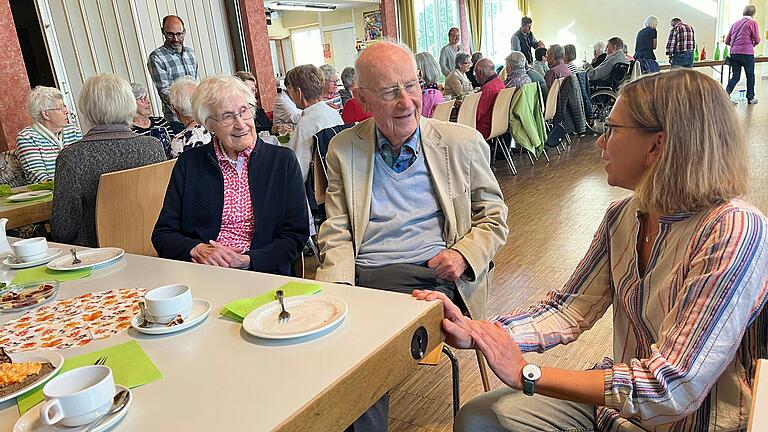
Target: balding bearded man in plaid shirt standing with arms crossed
(170, 61)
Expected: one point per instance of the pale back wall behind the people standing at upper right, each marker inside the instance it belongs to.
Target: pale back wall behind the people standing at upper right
(583, 22)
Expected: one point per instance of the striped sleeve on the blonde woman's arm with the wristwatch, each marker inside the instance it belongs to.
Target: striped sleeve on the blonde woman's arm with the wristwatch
(721, 290)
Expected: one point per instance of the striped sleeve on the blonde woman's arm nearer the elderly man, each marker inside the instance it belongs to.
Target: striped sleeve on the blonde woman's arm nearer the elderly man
(565, 314)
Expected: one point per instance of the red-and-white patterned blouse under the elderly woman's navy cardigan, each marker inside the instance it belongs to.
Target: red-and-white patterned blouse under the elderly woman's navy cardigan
(237, 222)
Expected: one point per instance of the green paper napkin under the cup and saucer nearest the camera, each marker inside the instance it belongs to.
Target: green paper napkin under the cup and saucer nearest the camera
(131, 367)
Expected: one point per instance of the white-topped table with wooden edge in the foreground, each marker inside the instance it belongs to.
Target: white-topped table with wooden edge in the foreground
(217, 377)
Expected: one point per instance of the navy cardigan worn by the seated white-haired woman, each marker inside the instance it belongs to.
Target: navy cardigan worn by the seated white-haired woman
(194, 203)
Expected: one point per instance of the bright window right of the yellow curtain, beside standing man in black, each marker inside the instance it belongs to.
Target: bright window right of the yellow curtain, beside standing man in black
(501, 19)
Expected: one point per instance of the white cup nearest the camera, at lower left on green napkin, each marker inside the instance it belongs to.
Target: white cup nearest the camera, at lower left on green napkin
(78, 397)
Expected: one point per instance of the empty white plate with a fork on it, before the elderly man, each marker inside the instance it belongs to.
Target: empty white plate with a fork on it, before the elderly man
(310, 314)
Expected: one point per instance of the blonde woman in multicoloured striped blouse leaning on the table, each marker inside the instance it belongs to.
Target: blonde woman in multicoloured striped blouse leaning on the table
(682, 261)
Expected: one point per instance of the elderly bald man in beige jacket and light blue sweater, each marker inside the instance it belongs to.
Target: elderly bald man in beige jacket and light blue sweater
(411, 202)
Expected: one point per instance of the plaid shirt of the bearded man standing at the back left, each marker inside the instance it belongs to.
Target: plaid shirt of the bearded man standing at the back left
(165, 65)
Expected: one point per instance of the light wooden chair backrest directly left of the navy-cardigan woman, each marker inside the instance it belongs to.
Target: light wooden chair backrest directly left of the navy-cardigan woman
(127, 206)
